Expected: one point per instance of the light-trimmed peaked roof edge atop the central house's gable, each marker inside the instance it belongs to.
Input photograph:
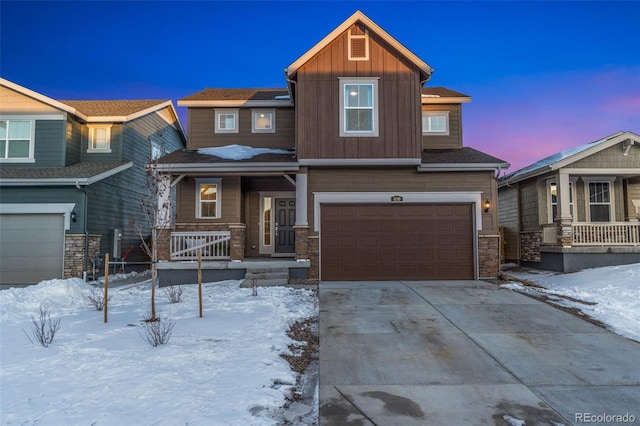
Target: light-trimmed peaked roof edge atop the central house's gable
(358, 16)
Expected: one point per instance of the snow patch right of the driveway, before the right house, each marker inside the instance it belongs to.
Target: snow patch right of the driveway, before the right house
(612, 293)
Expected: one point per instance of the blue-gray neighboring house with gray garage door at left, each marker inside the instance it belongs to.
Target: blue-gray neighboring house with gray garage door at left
(71, 180)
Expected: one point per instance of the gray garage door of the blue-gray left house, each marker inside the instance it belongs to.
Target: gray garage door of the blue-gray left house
(31, 248)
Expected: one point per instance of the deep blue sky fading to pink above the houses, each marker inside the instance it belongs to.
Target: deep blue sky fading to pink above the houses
(543, 76)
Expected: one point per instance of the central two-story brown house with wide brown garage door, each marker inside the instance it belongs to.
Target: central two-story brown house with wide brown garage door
(353, 171)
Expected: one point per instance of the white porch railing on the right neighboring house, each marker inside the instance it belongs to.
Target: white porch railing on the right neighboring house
(606, 234)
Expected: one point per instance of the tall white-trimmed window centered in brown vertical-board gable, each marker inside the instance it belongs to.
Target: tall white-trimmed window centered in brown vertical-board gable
(358, 107)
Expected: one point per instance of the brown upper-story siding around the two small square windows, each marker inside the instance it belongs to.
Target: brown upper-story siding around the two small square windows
(202, 130)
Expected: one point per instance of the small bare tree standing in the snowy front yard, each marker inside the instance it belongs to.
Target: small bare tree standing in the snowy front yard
(157, 210)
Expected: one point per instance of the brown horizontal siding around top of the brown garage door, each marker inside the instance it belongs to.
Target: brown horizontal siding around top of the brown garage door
(399, 180)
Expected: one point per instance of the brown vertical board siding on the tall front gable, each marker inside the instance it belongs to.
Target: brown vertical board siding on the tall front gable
(318, 104)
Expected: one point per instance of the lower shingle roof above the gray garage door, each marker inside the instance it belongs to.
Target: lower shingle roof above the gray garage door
(75, 171)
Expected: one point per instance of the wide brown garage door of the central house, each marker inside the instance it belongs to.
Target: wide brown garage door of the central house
(392, 241)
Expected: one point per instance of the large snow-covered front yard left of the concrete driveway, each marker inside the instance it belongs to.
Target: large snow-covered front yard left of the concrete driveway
(222, 369)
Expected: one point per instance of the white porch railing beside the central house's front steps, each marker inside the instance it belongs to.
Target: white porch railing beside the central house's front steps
(215, 245)
